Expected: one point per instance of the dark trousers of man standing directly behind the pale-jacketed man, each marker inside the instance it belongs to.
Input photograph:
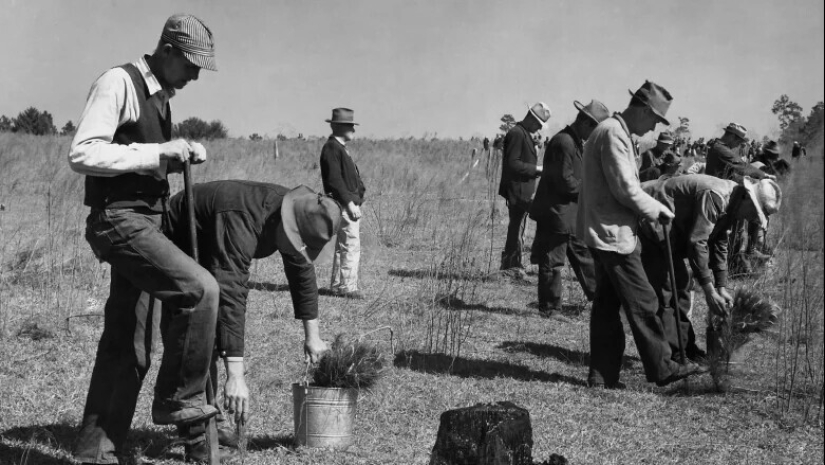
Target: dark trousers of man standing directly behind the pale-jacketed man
(548, 252)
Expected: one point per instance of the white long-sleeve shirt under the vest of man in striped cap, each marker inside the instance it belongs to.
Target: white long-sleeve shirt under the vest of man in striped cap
(113, 102)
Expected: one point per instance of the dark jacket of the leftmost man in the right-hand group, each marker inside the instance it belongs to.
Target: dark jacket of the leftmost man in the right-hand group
(518, 171)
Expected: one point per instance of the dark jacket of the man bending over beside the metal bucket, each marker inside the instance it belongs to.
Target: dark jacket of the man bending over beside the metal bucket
(236, 222)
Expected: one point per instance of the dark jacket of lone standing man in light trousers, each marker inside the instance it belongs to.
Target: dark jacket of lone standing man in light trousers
(339, 174)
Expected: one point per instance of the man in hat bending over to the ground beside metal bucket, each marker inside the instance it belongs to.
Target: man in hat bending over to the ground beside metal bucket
(238, 221)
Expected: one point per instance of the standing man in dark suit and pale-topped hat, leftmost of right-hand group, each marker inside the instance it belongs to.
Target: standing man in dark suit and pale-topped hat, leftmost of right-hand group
(518, 179)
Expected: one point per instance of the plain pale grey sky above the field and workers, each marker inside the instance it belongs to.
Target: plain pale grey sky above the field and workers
(411, 67)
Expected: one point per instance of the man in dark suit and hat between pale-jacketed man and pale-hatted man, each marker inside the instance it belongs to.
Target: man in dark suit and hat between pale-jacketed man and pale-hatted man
(554, 210)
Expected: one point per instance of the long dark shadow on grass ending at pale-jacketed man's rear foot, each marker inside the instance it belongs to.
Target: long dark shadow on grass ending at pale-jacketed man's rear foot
(470, 368)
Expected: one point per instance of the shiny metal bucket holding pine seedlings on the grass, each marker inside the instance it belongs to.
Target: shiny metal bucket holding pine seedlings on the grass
(323, 416)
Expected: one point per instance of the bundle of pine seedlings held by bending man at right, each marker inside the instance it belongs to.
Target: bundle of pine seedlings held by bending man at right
(751, 313)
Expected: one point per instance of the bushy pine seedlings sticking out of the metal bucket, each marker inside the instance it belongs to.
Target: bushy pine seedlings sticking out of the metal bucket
(350, 363)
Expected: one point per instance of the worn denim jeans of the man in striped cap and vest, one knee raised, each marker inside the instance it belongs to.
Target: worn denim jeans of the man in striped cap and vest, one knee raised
(147, 269)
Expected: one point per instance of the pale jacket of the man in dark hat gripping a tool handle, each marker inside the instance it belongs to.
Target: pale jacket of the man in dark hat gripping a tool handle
(611, 198)
